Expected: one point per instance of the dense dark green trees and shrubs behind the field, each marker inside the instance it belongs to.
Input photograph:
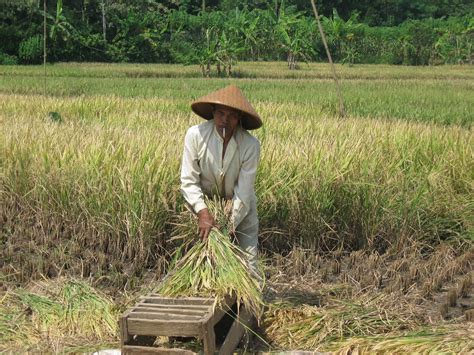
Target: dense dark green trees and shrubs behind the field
(216, 33)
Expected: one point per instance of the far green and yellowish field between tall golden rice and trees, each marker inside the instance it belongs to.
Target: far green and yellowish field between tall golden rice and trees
(443, 94)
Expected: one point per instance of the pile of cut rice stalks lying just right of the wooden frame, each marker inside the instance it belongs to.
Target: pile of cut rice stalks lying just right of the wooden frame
(312, 328)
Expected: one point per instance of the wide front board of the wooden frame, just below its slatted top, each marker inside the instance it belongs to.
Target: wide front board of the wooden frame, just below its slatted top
(170, 328)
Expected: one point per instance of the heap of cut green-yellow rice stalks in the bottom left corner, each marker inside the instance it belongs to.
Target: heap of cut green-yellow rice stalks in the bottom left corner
(55, 315)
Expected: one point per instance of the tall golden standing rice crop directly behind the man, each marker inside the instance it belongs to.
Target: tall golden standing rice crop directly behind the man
(104, 180)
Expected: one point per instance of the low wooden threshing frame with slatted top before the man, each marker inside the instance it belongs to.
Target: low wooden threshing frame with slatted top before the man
(155, 316)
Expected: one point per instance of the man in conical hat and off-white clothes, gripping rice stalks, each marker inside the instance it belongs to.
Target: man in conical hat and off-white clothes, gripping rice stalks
(220, 159)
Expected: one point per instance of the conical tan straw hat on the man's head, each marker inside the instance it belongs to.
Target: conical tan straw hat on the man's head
(232, 97)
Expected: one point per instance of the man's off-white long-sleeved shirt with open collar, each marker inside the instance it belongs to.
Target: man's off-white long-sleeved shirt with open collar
(203, 171)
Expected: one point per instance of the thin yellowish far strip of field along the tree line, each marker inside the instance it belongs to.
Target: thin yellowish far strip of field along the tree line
(265, 70)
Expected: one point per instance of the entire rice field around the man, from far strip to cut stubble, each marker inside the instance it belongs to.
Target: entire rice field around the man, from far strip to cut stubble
(362, 212)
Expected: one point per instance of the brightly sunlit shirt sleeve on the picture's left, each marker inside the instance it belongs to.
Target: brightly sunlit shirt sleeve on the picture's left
(191, 172)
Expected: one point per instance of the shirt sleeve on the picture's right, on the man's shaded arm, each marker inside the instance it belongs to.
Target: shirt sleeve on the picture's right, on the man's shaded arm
(244, 190)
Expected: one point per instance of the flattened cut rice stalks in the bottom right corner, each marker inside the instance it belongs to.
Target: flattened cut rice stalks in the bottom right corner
(452, 340)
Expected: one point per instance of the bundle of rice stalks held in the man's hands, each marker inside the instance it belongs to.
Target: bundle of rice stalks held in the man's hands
(215, 267)
